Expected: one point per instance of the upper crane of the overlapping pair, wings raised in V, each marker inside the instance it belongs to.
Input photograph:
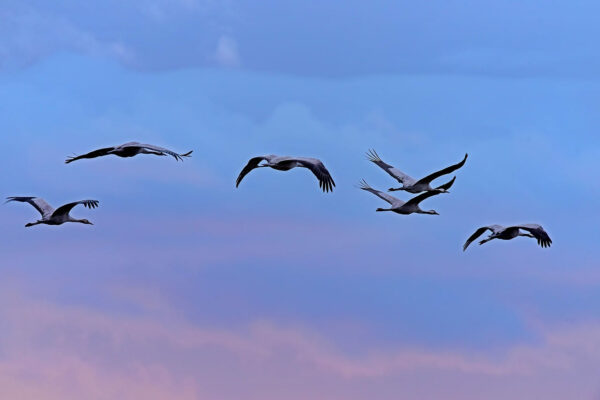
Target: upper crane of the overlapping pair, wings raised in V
(413, 185)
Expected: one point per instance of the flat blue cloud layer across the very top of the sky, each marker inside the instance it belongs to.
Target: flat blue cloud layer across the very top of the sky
(291, 37)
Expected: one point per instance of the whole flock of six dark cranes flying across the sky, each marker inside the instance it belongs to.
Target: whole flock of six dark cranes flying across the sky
(421, 187)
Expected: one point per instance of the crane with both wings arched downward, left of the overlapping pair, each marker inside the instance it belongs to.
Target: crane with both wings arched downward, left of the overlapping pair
(285, 163)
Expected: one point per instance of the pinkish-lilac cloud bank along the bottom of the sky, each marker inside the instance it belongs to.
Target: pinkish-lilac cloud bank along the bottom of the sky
(54, 351)
